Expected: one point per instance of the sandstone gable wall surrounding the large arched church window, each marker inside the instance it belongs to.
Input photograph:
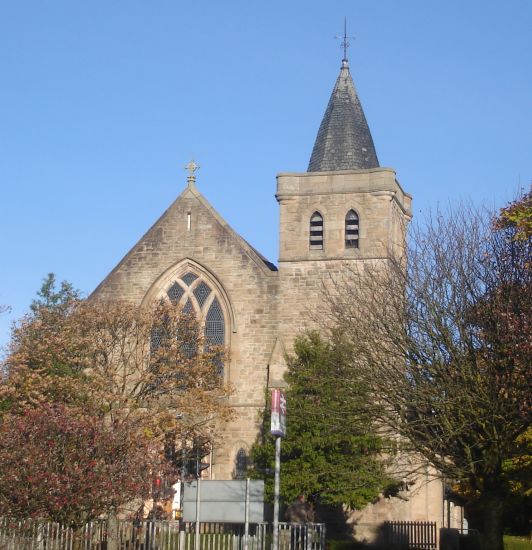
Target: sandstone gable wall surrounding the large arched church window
(192, 236)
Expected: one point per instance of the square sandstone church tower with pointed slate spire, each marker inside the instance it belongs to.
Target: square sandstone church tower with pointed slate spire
(344, 211)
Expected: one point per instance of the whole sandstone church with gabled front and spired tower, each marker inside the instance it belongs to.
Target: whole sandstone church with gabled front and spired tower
(345, 210)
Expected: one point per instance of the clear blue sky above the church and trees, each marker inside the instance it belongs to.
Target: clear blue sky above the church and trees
(103, 103)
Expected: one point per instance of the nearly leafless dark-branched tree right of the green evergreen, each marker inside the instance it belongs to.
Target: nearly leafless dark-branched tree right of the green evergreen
(441, 337)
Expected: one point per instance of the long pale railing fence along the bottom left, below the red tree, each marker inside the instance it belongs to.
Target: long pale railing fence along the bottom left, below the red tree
(158, 535)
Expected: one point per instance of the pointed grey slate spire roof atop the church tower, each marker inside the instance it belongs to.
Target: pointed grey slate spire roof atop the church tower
(344, 141)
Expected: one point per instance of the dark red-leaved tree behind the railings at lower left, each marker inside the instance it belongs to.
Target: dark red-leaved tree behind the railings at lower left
(68, 466)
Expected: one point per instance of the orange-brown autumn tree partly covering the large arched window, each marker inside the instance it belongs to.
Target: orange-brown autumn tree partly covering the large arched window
(146, 365)
